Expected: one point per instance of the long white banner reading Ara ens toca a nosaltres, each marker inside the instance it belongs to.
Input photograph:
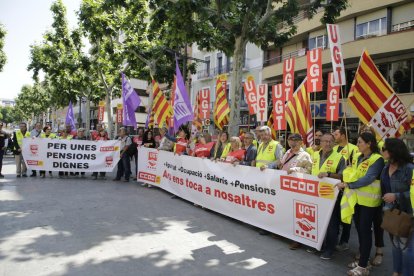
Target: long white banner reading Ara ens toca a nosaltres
(295, 206)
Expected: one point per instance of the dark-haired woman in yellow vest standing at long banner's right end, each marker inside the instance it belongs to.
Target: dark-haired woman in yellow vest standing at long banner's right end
(366, 192)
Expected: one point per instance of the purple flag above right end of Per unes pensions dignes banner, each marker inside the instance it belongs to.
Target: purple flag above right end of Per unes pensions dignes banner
(130, 101)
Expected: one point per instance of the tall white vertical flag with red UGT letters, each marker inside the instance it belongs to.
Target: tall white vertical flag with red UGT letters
(336, 55)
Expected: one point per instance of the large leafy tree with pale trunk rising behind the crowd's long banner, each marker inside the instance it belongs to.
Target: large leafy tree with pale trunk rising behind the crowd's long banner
(228, 25)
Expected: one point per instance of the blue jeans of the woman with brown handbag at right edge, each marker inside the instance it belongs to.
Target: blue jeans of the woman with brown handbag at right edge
(403, 261)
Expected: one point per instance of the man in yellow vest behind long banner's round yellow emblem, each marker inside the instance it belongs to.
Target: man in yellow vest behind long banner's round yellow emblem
(329, 163)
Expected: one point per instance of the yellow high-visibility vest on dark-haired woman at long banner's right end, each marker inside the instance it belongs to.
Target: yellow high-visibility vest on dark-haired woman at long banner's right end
(369, 195)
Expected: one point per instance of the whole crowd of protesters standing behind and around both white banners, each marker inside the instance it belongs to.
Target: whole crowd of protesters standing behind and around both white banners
(382, 178)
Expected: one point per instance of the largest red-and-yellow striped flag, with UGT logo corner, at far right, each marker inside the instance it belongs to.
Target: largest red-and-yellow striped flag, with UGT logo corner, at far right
(374, 101)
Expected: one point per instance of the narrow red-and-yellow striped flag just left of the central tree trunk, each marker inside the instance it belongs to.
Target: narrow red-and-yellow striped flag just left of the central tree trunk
(221, 106)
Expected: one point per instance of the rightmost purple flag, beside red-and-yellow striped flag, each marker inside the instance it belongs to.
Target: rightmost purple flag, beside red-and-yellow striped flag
(183, 111)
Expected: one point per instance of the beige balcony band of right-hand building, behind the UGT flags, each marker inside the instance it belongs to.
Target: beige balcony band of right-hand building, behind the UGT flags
(379, 45)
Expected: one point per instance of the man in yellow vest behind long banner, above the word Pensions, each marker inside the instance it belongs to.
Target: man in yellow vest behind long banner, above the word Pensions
(269, 152)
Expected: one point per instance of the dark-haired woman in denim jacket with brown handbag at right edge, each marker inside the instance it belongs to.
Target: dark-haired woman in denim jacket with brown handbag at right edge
(396, 183)
